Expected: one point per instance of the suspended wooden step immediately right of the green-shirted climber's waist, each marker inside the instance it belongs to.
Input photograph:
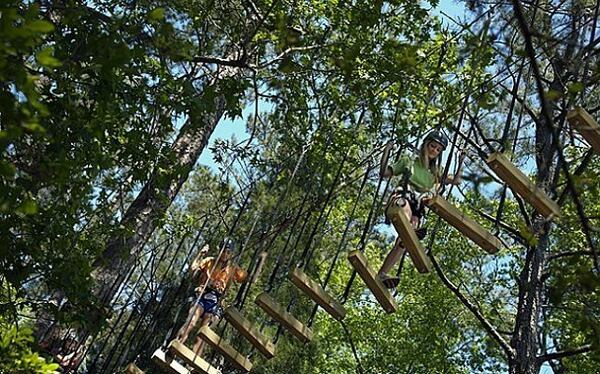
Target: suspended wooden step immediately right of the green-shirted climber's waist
(465, 224)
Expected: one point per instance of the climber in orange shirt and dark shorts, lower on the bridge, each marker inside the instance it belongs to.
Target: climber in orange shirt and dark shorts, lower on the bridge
(216, 275)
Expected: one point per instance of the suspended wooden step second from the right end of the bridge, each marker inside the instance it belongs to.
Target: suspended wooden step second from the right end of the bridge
(522, 185)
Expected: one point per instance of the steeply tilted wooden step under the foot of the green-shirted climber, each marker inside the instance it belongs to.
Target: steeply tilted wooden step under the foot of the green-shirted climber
(409, 238)
